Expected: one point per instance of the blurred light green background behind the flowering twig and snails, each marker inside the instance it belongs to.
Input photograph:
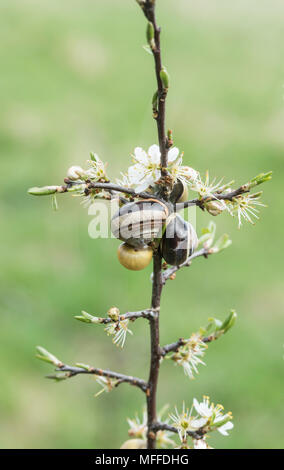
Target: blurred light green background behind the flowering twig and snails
(74, 78)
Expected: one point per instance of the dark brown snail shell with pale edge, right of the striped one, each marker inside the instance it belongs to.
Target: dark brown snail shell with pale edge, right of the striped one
(179, 240)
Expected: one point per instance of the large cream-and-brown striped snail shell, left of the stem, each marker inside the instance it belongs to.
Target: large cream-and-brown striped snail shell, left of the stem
(138, 223)
